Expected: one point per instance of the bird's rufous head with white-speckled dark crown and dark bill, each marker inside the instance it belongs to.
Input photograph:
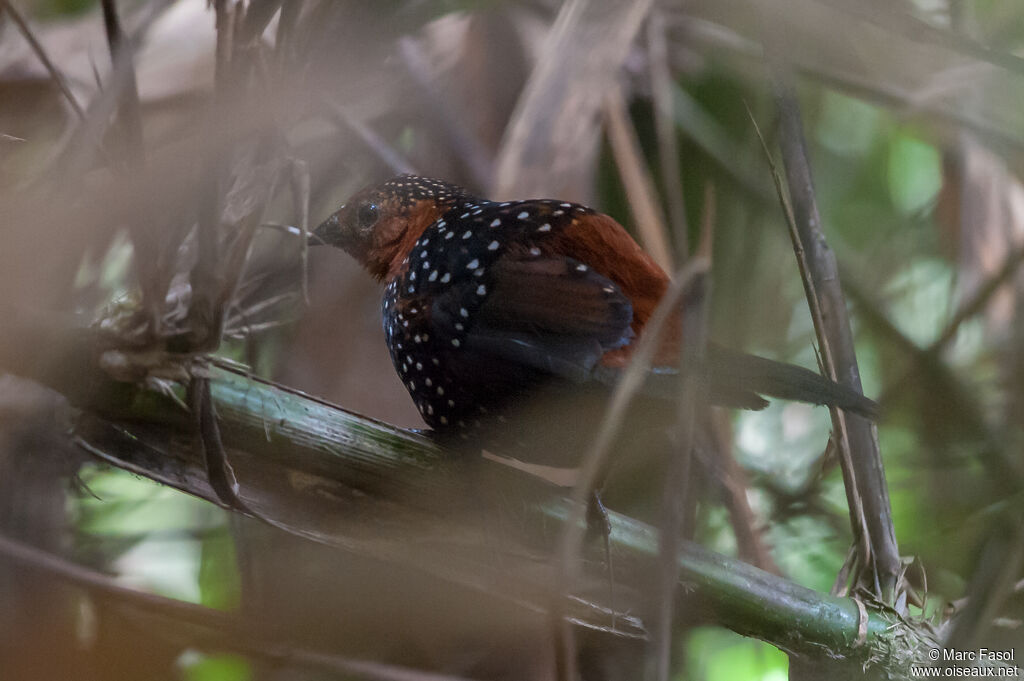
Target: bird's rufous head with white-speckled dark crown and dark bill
(380, 225)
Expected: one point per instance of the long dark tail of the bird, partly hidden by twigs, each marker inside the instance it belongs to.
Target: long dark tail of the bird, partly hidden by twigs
(738, 379)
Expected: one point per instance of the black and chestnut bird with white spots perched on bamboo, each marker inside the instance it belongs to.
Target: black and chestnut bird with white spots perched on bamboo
(489, 306)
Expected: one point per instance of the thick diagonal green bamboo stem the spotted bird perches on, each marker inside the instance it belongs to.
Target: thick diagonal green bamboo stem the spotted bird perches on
(317, 472)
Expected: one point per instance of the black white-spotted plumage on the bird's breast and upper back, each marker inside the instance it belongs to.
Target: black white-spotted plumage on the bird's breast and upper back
(440, 316)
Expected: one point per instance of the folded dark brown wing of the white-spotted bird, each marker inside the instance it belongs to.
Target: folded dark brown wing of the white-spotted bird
(542, 316)
